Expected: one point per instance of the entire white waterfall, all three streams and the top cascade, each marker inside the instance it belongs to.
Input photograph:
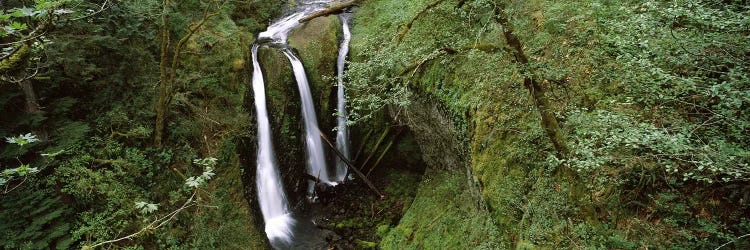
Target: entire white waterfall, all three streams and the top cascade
(283, 229)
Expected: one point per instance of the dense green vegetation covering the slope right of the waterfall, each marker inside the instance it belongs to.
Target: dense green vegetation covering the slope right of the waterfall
(650, 149)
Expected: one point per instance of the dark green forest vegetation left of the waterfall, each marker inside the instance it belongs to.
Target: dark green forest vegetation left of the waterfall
(84, 81)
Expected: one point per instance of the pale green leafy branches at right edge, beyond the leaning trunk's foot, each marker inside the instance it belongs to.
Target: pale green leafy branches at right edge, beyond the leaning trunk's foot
(604, 139)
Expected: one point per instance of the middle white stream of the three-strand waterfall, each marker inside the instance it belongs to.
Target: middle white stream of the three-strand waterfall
(316, 165)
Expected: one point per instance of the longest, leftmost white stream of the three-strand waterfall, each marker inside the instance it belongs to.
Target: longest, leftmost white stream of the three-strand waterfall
(273, 203)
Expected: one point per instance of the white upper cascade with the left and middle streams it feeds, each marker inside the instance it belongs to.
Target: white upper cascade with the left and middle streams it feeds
(273, 203)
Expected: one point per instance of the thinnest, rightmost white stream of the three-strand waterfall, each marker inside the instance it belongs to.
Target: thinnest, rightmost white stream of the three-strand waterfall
(342, 133)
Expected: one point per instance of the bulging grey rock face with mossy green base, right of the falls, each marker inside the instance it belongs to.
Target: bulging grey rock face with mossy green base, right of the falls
(448, 200)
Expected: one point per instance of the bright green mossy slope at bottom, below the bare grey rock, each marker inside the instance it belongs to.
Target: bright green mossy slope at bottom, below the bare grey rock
(442, 217)
